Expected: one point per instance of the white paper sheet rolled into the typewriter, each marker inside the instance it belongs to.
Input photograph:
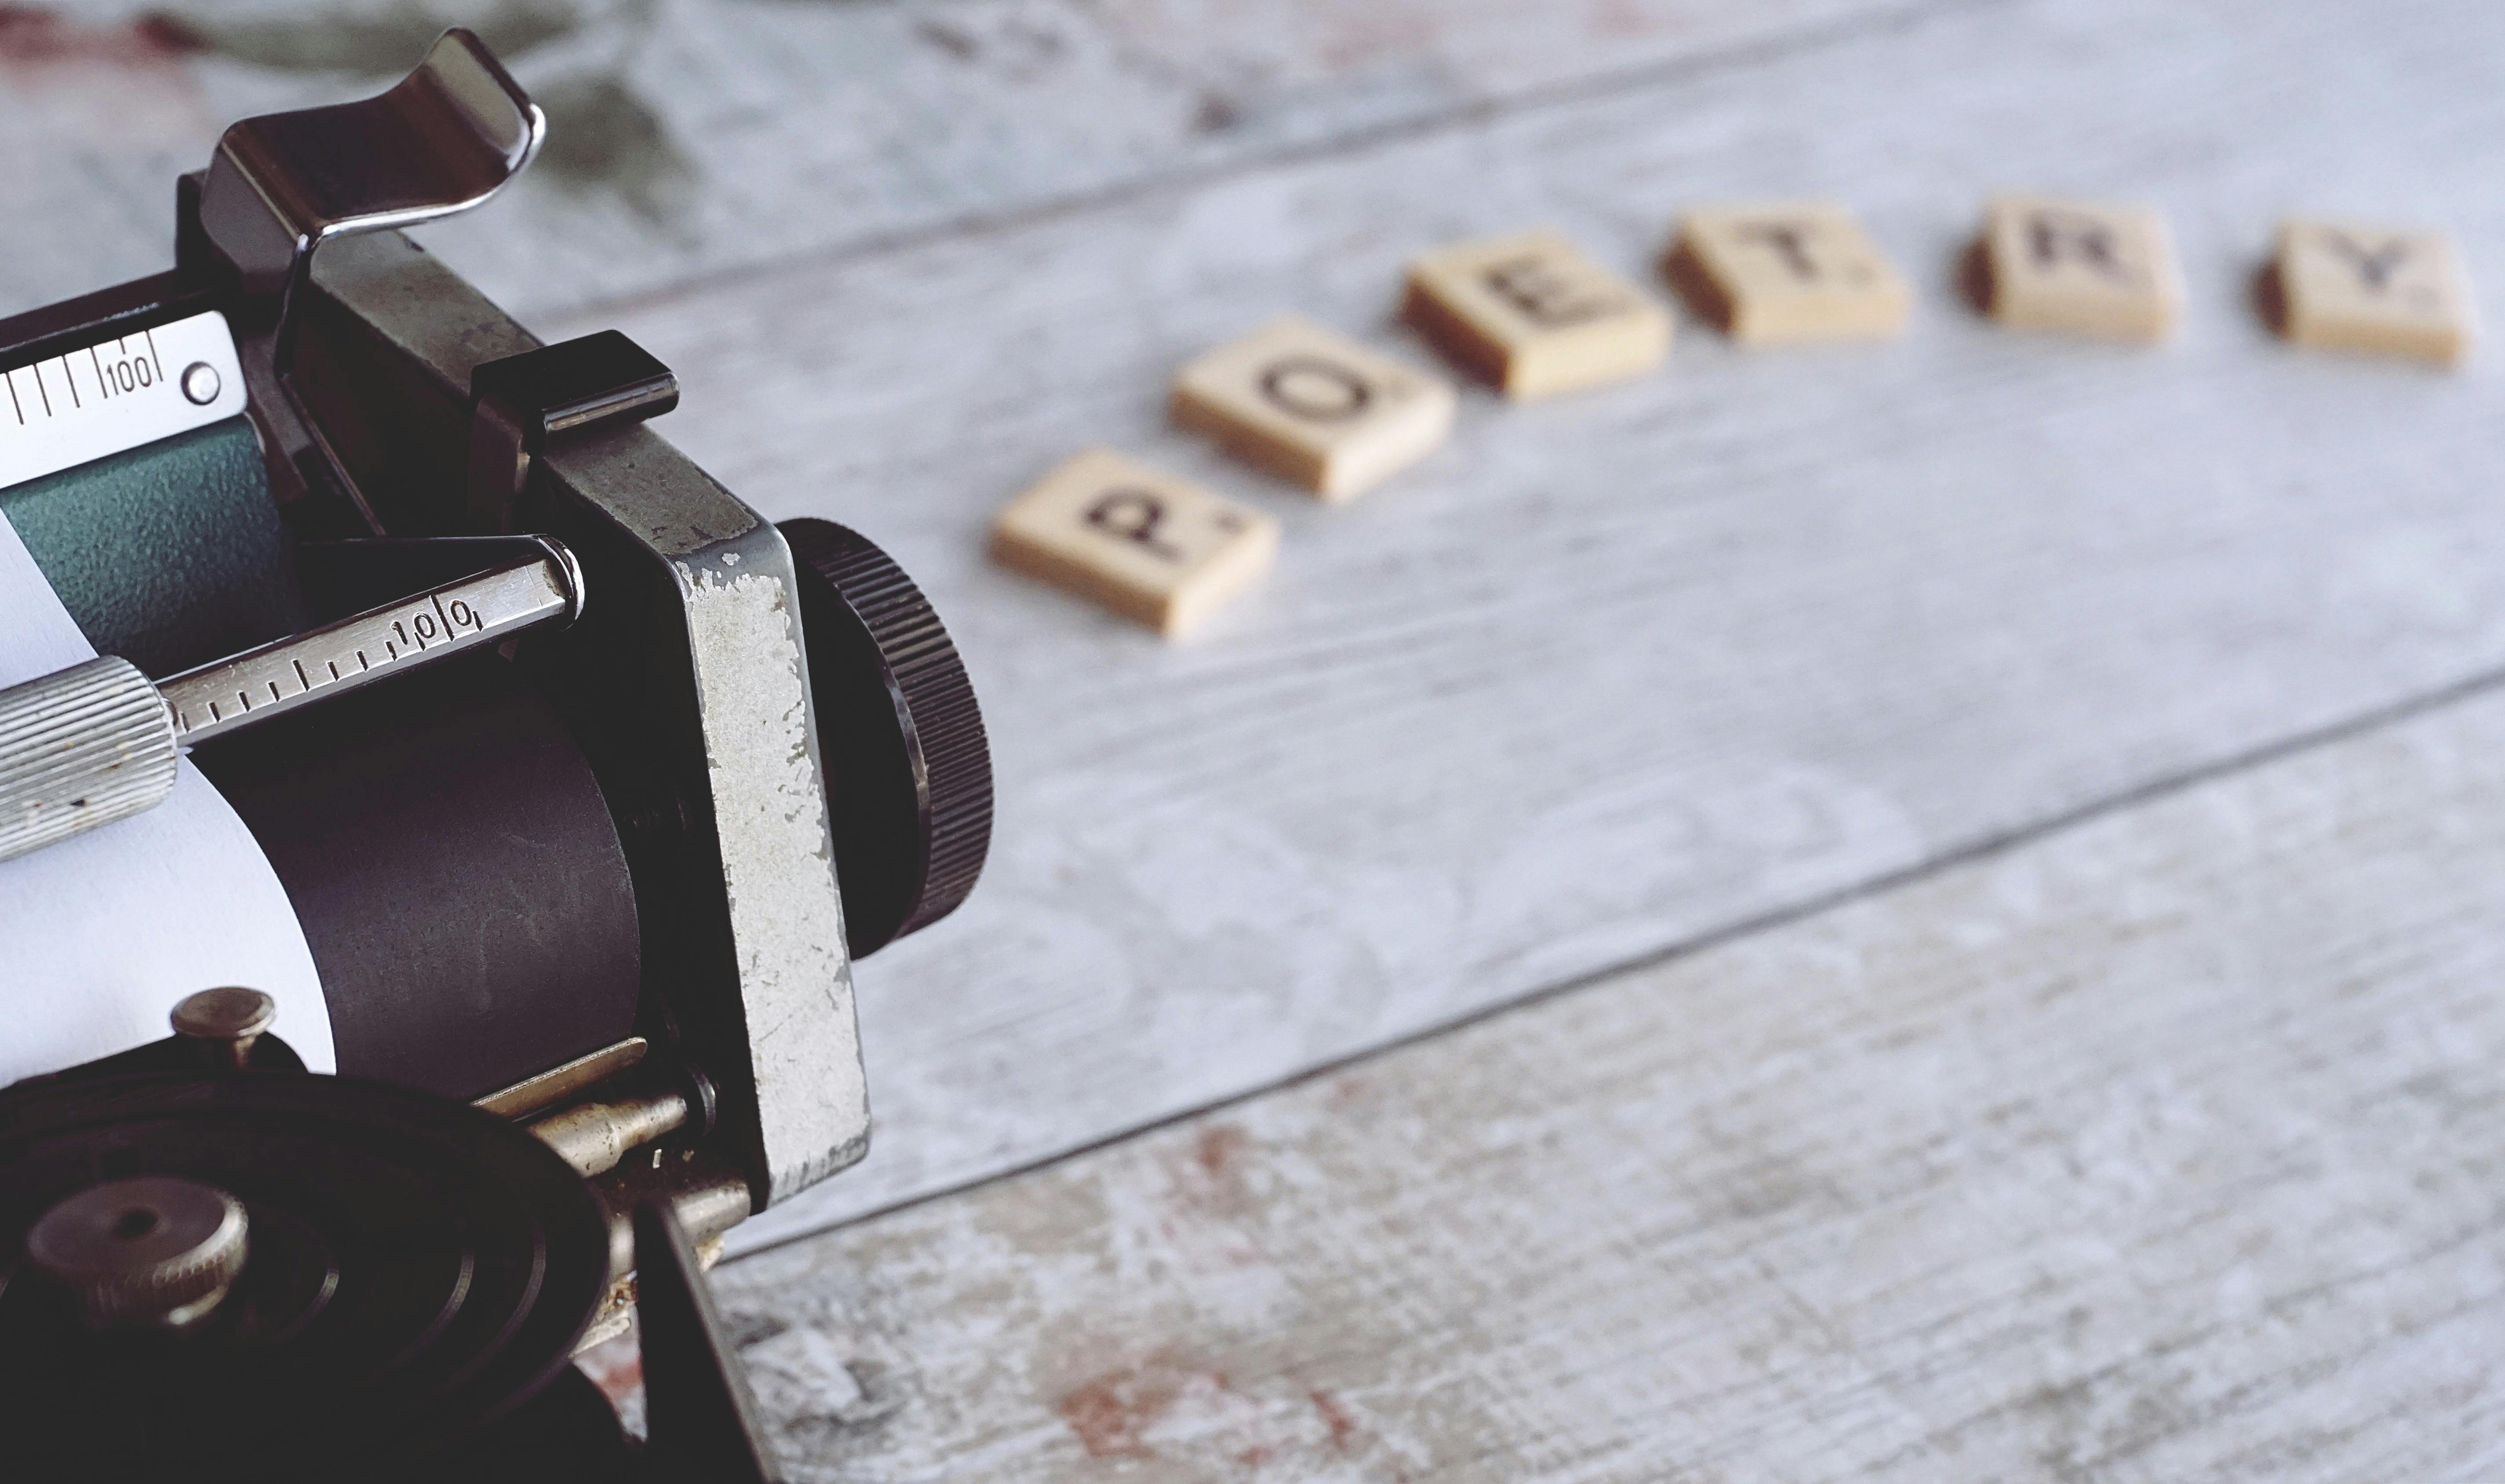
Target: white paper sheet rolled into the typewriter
(106, 931)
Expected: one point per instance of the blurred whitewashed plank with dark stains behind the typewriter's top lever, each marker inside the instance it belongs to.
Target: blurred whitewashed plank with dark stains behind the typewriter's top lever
(710, 137)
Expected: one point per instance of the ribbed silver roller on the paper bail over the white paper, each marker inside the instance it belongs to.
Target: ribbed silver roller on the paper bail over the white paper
(81, 748)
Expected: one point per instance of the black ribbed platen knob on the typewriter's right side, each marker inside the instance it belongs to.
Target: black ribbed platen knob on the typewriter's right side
(908, 766)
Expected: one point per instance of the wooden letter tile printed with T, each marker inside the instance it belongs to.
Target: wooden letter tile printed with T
(1787, 272)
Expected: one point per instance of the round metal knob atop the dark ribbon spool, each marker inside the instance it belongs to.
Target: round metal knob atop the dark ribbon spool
(144, 1252)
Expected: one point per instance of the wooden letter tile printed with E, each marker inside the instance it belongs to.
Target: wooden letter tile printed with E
(1534, 315)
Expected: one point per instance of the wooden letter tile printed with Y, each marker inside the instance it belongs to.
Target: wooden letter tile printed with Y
(2376, 290)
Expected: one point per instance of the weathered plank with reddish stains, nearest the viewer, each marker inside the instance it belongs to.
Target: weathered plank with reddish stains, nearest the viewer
(2156, 1149)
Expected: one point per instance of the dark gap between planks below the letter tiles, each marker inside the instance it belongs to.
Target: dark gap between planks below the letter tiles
(1740, 929)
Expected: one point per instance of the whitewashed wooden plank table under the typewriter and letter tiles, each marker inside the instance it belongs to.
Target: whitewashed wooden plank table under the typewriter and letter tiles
(1877, 914)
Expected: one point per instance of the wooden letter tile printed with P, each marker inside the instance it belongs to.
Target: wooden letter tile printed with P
(1136, 540)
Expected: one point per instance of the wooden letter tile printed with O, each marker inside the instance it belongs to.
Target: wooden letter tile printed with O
(1314, 407)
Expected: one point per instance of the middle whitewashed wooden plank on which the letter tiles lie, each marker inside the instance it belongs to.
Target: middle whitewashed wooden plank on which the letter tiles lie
(1622, 671)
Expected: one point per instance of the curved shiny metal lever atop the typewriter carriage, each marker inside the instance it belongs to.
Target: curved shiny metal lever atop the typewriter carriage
(442, 142)
